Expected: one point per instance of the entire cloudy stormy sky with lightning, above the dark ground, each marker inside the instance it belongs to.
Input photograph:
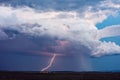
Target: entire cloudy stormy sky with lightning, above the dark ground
(60, 35)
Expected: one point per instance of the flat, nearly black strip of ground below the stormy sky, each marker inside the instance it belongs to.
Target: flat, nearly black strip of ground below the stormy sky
(4, 75)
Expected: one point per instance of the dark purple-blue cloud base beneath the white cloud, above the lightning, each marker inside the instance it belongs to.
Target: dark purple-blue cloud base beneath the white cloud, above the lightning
(30, 44)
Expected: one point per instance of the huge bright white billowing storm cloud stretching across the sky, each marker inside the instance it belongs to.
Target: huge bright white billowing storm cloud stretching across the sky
(64, 25)
